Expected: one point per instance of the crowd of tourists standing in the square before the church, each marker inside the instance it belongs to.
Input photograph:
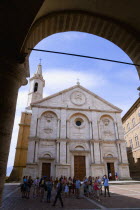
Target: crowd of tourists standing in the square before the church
(90, 187)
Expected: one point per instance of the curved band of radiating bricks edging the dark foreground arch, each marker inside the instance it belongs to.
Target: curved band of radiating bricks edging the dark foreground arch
(82, 21)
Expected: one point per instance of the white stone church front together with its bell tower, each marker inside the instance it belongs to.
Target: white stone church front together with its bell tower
(74, 133)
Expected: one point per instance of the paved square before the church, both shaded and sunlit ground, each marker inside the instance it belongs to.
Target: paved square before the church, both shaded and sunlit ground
(122, 197)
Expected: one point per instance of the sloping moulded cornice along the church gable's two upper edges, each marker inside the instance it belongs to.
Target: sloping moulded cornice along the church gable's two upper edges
(74, 87)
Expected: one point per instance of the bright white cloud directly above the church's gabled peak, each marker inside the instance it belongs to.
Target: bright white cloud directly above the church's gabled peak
(57, 80)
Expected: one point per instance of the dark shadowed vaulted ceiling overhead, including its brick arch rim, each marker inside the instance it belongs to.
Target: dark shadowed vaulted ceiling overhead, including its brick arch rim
(24, 23)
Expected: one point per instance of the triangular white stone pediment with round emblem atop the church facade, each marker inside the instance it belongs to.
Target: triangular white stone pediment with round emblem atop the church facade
(76, 97)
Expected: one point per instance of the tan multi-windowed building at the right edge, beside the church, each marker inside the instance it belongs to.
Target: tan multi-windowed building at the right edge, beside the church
(131, 125)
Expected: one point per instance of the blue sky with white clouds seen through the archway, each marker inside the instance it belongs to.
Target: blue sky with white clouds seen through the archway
(116, 83)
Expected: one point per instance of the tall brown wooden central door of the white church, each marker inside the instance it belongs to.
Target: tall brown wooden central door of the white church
(79, 167)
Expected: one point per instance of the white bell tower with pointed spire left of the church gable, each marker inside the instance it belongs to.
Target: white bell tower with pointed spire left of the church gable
(36, 86)
